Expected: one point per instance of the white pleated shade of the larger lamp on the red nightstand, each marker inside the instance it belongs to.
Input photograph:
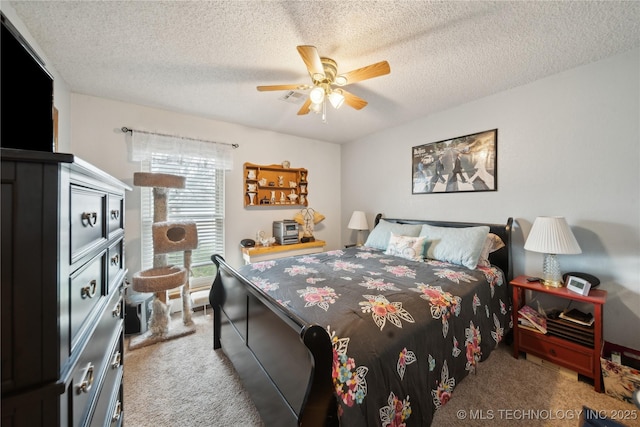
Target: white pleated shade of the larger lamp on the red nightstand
(552, 235)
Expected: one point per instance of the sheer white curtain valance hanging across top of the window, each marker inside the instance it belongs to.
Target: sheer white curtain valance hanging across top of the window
(145, 143)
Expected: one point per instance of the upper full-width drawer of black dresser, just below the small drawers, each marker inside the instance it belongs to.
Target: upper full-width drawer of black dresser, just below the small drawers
(94, 363)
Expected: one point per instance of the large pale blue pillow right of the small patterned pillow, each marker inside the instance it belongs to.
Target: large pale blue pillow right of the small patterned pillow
(460, 246)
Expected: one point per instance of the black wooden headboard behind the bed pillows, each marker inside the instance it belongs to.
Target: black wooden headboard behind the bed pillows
(500, 258)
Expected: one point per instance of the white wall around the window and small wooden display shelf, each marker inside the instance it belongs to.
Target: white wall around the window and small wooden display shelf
(96, 137)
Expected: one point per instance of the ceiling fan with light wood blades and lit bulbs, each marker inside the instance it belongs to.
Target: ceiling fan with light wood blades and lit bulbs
(327, 84)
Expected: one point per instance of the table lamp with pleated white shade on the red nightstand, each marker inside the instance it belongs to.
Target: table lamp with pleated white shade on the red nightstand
(551, 236)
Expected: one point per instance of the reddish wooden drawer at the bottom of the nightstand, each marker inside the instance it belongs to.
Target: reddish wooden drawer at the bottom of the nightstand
(571, 356)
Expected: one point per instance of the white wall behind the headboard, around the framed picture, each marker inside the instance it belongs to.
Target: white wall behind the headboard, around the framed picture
(568, 145)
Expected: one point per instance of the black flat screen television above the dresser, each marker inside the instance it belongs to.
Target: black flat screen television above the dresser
(26, 92)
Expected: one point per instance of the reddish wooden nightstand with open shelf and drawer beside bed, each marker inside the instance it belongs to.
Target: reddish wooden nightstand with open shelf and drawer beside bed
(579, 358)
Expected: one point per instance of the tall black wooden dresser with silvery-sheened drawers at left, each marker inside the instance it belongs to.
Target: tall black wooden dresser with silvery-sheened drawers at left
(62, 291)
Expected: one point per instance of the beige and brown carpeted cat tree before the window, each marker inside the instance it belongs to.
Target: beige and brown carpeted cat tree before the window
(168, 237)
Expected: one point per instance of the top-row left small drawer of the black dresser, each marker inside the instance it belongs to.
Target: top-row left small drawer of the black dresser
(87, 220)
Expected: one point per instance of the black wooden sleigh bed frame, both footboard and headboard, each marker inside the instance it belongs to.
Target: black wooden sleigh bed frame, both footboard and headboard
(284, 363)
